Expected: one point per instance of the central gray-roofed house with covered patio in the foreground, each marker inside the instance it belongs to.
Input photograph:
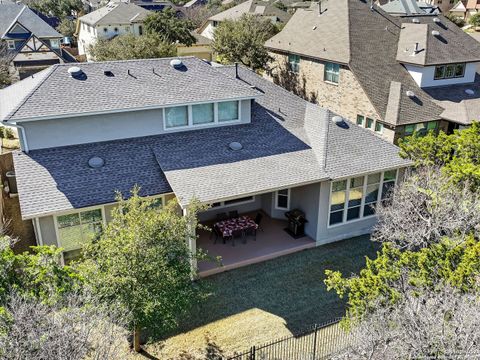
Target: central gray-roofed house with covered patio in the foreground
(170, 126)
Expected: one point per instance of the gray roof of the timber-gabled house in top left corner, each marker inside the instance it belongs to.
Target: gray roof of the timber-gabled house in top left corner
(9, 13)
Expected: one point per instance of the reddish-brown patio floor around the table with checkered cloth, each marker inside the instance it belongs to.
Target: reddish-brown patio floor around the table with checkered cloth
(270, 243)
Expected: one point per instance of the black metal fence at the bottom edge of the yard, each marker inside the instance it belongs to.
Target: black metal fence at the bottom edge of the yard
(317, 343)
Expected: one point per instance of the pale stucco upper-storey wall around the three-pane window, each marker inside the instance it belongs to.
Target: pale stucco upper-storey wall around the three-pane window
(88, 129)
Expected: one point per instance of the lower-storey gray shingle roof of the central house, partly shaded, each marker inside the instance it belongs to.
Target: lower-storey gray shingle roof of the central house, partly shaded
(289, 142)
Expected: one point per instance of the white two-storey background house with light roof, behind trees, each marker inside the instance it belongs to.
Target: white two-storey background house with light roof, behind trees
(112, 20)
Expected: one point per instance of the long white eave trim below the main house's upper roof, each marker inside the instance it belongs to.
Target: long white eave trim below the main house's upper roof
(116, 111)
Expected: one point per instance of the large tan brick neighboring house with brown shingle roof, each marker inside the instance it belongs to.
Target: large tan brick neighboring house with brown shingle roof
(393, 75)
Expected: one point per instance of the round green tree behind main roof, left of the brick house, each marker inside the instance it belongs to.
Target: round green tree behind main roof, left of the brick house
(243, 41)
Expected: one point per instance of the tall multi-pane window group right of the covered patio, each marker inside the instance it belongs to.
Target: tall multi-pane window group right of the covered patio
(357, 198)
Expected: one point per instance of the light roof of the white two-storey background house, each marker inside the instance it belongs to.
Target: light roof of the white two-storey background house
(115, 13)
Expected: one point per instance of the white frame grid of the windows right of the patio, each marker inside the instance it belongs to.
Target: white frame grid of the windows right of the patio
(362, 205)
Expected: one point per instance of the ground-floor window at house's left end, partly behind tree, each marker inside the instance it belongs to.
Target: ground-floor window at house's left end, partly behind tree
(76, 229)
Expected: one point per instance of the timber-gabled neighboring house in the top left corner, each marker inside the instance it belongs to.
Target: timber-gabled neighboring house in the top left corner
(31, 44)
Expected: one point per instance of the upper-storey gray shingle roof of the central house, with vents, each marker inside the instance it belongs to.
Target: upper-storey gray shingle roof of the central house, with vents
(151, 83)
